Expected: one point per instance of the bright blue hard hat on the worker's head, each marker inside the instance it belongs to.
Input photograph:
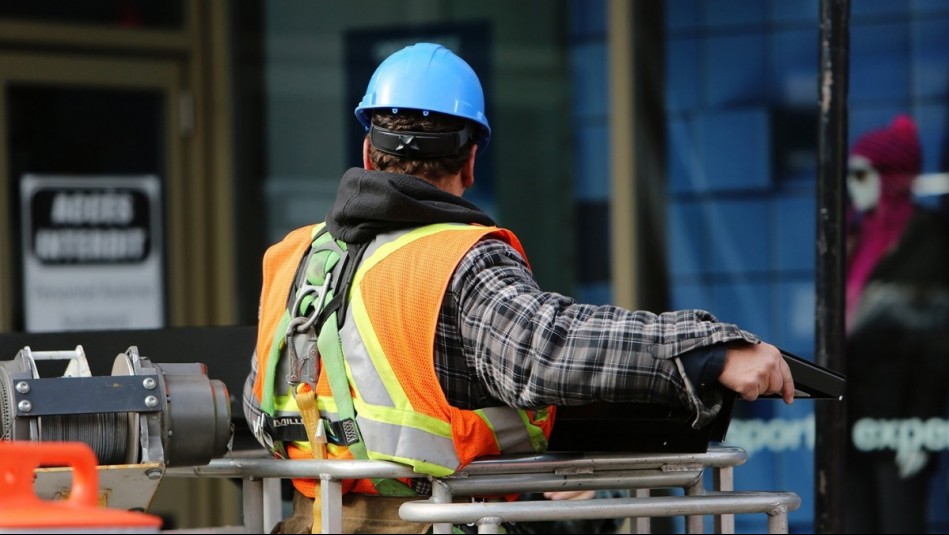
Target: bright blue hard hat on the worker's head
(426, 77)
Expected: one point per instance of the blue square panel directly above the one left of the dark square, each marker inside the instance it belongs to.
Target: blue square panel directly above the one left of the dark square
(735, 67)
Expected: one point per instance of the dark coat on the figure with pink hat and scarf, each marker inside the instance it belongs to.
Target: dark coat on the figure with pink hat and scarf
(898, 349)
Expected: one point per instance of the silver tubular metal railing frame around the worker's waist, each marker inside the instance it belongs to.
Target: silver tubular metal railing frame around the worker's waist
(525, 473)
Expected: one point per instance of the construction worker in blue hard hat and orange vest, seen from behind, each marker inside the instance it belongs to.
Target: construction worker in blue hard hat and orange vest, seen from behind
(415, 324)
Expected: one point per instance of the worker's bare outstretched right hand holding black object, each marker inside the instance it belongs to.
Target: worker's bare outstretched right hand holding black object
(755, 370)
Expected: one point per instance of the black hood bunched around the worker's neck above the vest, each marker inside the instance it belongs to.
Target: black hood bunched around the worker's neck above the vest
(369, 203)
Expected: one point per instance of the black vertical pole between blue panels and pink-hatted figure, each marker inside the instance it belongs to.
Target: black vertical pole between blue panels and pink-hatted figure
(831, 437)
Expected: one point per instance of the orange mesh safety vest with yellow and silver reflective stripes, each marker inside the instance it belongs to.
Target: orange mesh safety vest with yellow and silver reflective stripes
(388, 345)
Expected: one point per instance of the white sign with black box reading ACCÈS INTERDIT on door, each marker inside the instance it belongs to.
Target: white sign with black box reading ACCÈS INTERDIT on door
(92, 253)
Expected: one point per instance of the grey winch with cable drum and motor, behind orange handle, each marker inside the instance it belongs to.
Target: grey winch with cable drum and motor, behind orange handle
(139, 420)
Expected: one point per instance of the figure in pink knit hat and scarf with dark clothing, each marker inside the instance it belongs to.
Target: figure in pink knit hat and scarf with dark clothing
(897, 325)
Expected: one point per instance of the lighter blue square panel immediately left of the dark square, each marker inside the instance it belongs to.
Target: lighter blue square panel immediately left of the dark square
(736, 149)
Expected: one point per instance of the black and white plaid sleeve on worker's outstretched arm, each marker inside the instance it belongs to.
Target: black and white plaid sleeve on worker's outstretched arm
(531, 348)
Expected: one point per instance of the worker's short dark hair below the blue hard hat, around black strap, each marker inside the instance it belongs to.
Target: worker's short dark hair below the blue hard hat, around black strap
(415, 121)
